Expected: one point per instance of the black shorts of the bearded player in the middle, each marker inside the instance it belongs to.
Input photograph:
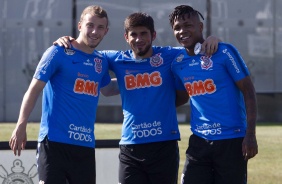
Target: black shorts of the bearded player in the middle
(152, 163)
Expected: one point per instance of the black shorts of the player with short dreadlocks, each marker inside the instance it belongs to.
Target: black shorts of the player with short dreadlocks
(214, 162)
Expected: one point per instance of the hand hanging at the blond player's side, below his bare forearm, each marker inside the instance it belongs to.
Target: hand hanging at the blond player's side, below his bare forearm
(18, 140)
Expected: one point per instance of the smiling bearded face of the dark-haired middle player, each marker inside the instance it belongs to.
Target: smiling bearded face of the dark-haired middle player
(140, 40)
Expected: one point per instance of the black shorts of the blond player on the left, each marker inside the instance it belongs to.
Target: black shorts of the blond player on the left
(60, 163)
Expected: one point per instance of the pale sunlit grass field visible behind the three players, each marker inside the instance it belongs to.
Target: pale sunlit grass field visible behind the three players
(265, 168)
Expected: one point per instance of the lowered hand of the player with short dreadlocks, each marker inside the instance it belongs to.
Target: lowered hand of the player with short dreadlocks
(249, 146)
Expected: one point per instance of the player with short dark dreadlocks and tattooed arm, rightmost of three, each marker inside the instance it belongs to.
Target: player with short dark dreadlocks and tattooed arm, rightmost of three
(223, 105)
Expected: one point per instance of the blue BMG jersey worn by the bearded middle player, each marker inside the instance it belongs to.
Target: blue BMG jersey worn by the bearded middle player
(148, 94)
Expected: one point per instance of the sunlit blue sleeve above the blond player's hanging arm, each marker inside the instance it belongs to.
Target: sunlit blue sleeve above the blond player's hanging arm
(48, 64)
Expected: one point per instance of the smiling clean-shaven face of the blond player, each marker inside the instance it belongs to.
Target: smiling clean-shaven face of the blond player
(92, 30)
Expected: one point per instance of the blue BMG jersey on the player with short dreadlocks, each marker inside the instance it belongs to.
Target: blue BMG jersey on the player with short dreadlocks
(217, 104)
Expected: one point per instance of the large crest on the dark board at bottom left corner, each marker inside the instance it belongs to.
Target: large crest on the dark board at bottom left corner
(18, 175)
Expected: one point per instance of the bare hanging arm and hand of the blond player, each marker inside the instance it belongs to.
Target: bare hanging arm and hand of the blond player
(18, 139)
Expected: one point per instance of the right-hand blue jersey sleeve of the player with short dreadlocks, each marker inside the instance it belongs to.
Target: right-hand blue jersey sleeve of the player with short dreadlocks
(234, 63)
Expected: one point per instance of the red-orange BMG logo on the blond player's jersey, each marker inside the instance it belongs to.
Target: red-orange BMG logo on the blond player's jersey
(86, 87)
